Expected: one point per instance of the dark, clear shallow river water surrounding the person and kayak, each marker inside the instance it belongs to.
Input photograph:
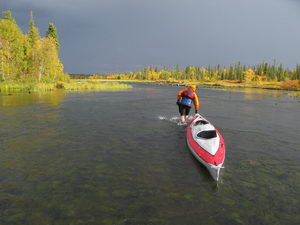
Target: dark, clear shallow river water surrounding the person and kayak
(120, 158)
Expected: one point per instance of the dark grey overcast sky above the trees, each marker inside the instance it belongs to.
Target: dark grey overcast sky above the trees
(105, 36)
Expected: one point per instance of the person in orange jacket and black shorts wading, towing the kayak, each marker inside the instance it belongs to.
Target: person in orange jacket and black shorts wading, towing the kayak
(185, 99)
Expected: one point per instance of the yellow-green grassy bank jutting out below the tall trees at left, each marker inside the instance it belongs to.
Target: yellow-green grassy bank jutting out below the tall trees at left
(73, 85)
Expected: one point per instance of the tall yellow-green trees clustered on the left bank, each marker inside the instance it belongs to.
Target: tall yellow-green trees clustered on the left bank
(29, 57)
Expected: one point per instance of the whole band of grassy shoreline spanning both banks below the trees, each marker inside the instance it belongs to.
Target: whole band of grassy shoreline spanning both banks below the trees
(111, 84)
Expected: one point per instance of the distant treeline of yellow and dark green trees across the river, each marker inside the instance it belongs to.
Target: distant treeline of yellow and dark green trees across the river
(236, 72)
